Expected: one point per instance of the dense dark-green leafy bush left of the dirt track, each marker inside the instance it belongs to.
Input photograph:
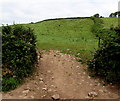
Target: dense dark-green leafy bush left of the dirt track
(19, 55)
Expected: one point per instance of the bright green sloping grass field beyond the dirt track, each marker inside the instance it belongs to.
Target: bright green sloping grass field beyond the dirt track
(71, 36)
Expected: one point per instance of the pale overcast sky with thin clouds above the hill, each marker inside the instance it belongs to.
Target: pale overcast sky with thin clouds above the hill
(25, 11)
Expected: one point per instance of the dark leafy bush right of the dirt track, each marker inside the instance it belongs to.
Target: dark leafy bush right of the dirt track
(106, 61)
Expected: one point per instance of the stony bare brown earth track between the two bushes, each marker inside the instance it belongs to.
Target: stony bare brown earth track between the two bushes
(59, 75)
